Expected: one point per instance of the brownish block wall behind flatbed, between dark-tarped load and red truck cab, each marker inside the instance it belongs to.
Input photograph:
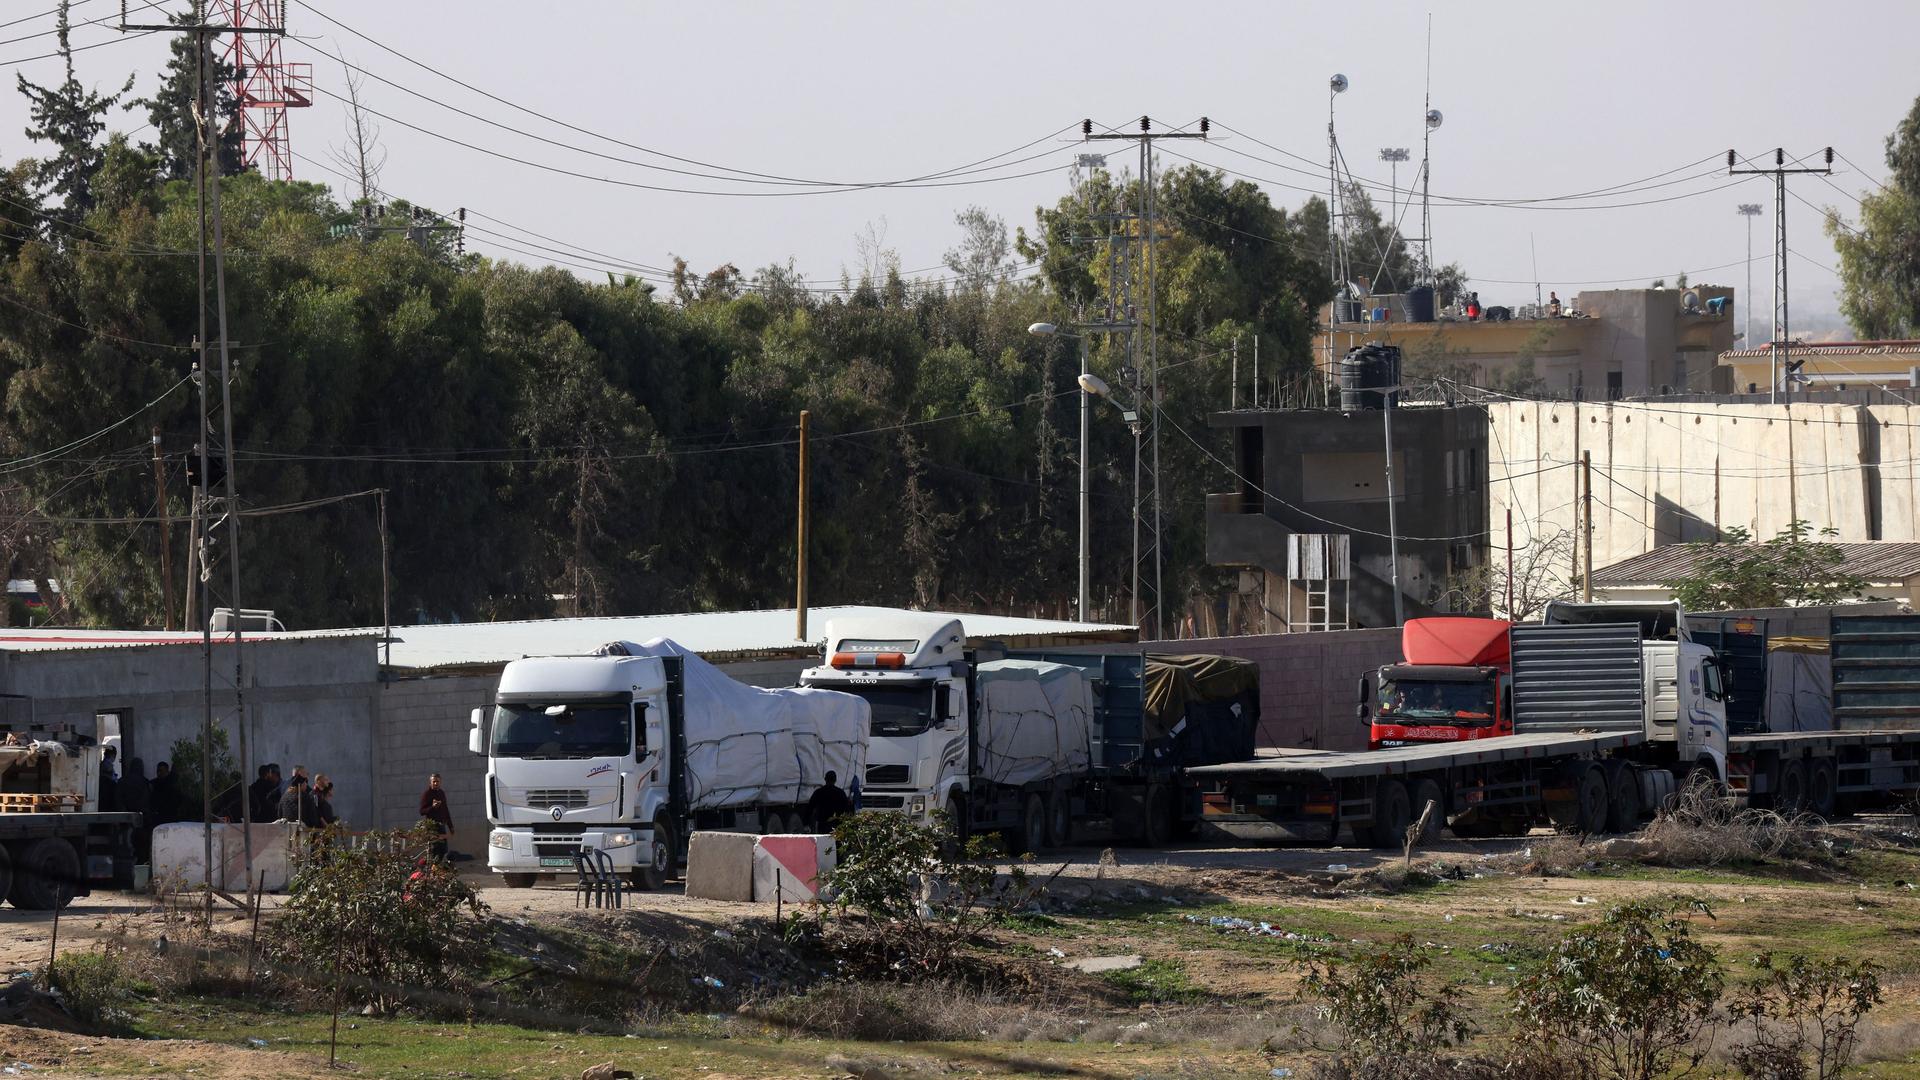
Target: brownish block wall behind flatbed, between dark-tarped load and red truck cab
(1308, 683)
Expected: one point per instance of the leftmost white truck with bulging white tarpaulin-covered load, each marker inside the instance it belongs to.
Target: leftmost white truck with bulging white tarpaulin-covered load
(631, 750)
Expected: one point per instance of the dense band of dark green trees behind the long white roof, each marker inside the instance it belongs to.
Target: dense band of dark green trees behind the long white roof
(558, 445)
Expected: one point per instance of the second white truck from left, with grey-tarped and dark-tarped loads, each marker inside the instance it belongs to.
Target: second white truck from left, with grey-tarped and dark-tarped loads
(1042, 747)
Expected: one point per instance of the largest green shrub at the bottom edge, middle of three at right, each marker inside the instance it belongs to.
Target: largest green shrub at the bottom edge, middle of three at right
(1629, 996)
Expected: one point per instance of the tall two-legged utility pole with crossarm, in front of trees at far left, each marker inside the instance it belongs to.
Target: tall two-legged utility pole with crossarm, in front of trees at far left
(208, 184)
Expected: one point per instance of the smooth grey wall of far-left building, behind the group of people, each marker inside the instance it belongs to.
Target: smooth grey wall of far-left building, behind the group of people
(310, 702)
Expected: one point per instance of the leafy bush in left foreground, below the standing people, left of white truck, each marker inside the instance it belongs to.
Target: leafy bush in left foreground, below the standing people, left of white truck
(383, 914)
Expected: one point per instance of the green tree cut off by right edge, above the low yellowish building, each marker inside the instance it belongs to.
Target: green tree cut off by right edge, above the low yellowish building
(1881, 257)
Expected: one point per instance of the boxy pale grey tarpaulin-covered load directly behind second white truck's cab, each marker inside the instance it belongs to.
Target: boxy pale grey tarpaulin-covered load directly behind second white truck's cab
(1036, 722)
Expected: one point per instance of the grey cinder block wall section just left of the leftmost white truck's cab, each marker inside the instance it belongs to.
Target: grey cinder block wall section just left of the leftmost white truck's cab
(423, 731)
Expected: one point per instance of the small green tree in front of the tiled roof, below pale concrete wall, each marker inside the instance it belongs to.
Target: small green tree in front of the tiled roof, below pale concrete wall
(1787, 572)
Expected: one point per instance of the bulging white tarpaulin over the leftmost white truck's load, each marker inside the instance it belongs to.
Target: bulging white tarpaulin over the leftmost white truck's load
(752, 747)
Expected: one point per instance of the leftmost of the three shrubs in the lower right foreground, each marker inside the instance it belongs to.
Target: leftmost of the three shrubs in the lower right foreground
(1383, 1006)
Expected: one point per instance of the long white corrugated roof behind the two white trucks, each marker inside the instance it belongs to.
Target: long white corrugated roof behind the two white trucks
(708, 633)
